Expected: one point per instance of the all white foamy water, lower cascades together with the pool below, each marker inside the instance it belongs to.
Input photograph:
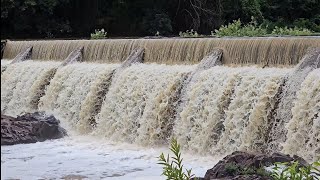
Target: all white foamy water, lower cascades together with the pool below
(223, 109)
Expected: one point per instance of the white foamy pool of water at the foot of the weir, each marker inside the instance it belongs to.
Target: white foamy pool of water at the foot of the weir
(88, 158)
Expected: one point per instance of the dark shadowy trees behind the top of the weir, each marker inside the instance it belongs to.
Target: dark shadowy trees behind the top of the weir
(77, 18)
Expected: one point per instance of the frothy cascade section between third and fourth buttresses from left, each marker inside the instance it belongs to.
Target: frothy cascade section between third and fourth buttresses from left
(135, 96)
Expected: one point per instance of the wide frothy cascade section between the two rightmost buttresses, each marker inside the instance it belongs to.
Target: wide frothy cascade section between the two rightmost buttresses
(227, 109)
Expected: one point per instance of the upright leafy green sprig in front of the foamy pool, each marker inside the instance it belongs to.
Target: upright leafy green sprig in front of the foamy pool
(173, 169)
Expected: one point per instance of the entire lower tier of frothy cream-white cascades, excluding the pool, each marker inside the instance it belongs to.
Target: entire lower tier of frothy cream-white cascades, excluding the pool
(224, 108)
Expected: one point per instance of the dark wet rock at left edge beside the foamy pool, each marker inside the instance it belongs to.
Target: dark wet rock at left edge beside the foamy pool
(29, 128)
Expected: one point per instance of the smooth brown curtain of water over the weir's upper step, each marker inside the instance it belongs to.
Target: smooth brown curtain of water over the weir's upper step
(270, 51)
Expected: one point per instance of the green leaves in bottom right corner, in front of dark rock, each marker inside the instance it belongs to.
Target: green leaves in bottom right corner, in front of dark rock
(284, 171)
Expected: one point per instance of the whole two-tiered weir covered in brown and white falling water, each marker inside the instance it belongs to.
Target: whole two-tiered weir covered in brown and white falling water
(214, 95)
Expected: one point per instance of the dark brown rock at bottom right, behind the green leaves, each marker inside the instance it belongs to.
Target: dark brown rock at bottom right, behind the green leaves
(245, 166)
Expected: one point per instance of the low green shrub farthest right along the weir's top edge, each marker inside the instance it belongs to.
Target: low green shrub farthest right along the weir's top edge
(291, 31)
